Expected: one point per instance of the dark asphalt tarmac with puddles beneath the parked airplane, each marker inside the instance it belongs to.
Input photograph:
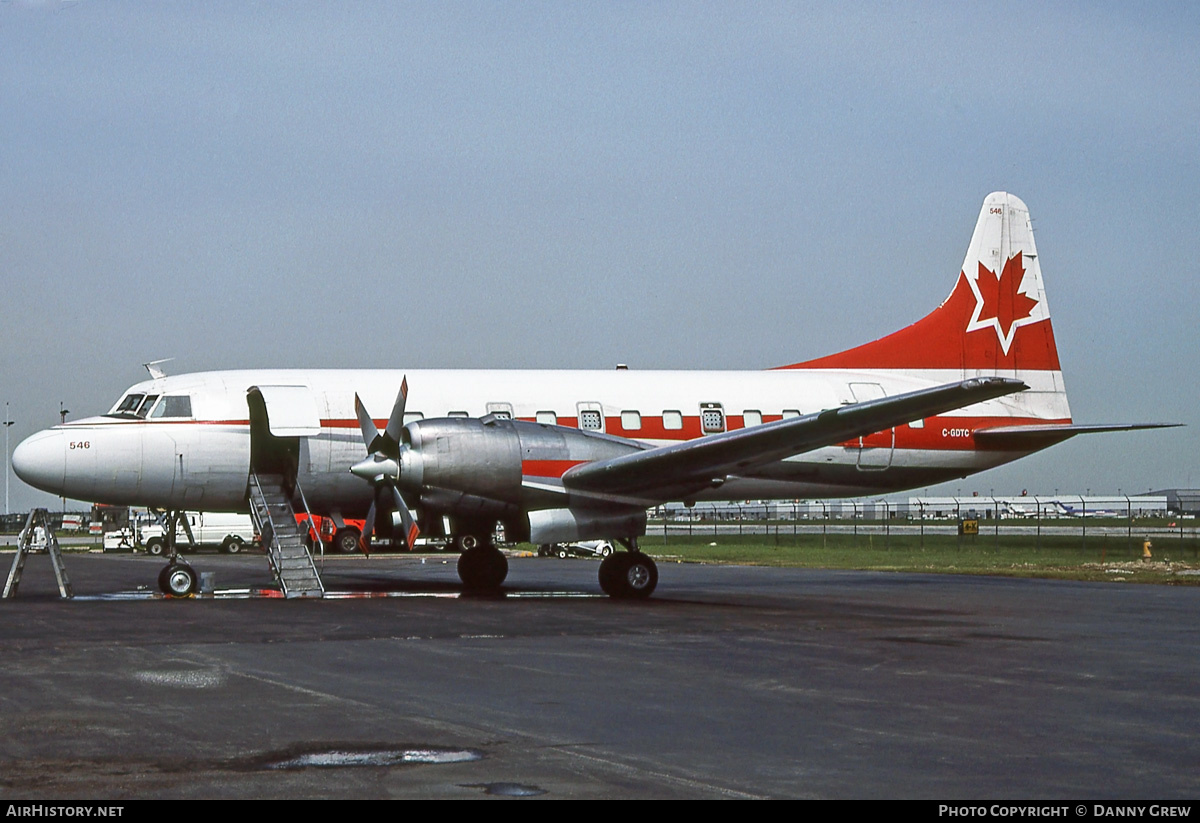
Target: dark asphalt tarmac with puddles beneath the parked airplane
(731, 682)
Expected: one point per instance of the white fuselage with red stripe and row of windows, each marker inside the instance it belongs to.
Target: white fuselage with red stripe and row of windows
(202, 461)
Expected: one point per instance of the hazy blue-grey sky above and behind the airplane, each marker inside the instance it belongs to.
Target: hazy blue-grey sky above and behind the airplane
(577, 185)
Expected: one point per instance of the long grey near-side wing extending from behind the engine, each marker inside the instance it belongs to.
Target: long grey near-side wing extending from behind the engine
(709, 461)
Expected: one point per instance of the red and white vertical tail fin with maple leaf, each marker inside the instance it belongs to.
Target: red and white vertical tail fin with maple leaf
(995, 322)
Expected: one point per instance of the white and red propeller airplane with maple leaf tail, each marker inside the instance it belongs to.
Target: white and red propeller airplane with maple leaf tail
(575, 455)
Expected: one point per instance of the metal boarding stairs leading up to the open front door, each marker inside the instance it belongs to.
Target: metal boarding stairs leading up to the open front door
(284, 539)
